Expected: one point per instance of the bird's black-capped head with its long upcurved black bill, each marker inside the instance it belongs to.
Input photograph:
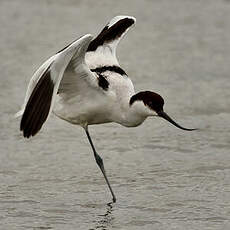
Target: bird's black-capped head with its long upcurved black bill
(153, 106)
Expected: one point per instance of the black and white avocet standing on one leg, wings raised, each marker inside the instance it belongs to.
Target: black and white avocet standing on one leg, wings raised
(84, 84)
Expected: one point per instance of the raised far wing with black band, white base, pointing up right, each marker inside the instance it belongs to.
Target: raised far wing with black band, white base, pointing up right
(102, 49)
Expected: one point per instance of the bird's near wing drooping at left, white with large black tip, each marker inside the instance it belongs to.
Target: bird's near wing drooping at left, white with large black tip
(44, 85)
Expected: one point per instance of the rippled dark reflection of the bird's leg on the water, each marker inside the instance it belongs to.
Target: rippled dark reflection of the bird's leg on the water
(105, 220)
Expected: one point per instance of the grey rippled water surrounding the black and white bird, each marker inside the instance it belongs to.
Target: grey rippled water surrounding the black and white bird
(164, 178)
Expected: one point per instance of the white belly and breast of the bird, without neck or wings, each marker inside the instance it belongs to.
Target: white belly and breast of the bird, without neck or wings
(95, 106)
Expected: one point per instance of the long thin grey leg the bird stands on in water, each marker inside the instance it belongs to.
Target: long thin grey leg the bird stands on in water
(99, 161)
